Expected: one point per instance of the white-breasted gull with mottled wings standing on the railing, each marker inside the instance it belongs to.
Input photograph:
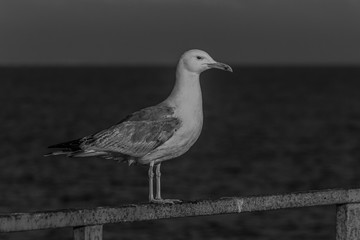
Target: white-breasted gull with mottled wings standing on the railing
(157, 133)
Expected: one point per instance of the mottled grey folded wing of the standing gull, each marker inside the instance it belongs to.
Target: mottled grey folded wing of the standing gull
(136, 135)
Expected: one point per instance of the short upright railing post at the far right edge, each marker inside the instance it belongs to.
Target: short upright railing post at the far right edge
(348, 221)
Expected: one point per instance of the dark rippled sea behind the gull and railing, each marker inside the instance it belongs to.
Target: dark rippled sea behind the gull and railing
(267, 130)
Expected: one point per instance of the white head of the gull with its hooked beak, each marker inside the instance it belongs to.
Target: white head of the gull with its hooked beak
(197, 61)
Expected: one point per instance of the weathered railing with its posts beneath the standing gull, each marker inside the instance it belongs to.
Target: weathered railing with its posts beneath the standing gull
(88, 223)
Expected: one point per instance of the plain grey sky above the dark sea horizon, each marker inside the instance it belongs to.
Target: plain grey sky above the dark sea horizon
(157, 32)
